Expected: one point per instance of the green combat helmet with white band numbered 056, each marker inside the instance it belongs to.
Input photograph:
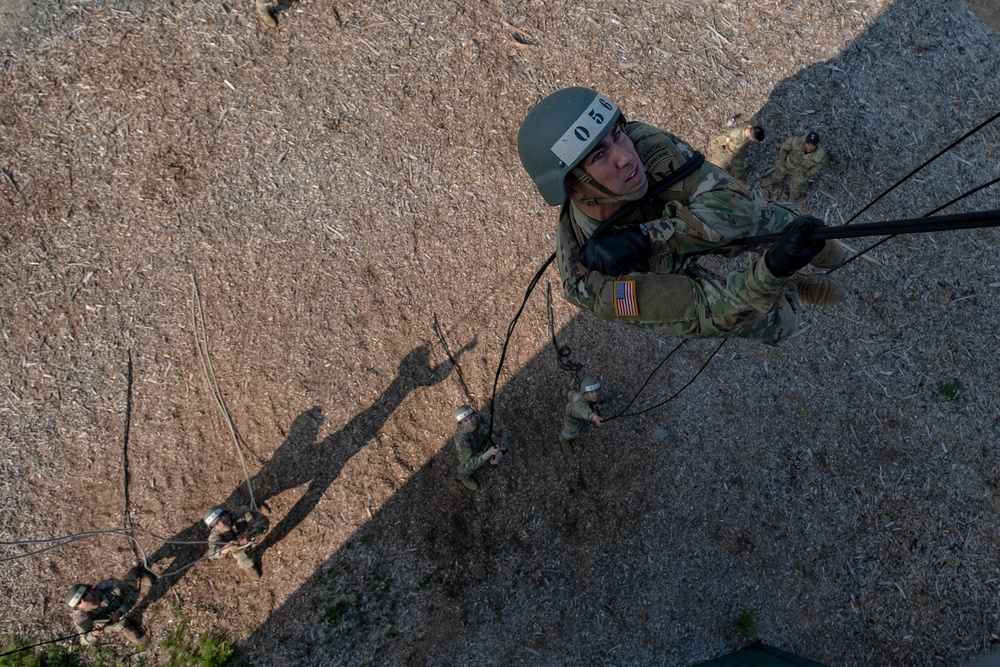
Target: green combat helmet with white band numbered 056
(558, 133)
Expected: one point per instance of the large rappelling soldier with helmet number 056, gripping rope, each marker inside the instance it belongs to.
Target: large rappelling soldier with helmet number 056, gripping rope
(639, 206)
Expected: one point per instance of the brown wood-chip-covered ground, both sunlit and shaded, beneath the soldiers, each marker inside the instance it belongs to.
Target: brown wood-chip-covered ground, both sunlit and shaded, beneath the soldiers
(345, 194)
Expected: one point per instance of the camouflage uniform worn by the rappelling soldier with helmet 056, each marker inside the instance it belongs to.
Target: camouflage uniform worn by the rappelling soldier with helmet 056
(703, 211)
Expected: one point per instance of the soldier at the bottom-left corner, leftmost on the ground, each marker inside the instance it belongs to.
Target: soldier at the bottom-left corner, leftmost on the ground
(103, 608)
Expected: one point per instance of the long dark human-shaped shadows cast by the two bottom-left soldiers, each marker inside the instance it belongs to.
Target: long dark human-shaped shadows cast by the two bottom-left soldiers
(298, 461)
